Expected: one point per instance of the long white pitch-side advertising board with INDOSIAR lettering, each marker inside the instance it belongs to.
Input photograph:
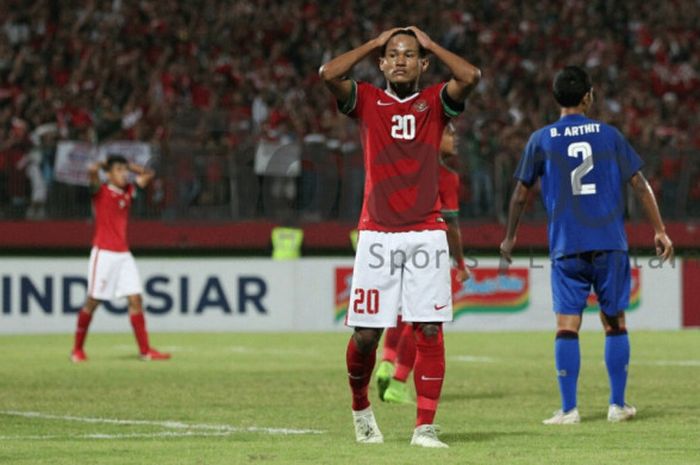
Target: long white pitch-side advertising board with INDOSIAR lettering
(41, 295)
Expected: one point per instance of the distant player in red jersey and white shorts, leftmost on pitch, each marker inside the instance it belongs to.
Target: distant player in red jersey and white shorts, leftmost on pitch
(112, 271)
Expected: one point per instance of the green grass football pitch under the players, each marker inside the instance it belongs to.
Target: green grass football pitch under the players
(283, 399)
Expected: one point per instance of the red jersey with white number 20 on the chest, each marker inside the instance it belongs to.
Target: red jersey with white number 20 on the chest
(401, 145)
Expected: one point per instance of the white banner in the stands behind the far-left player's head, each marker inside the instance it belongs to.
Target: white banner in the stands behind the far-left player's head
(74, 157)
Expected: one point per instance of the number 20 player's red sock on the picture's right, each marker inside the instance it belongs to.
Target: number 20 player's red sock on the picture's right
(428, 375)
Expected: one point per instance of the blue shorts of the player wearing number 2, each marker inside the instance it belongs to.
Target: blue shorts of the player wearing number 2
(608, 271)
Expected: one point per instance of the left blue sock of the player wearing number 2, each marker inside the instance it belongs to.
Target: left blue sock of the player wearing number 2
(567, 358)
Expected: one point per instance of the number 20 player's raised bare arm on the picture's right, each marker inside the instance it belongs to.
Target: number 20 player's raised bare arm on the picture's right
(465, 76)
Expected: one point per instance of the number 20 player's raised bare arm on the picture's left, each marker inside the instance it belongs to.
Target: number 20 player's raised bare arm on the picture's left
(334, 73)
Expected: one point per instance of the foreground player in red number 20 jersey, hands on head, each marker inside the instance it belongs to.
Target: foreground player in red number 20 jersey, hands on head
(402, 251)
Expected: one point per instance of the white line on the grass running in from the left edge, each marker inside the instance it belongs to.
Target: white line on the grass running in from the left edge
(163, 424)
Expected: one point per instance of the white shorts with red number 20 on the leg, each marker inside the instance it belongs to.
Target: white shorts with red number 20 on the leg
(407, 270)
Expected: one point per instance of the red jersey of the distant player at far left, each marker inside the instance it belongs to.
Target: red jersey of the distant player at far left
(111, 206)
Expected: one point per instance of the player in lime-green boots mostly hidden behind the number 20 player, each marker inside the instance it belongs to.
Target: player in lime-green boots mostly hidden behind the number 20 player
(398, 355)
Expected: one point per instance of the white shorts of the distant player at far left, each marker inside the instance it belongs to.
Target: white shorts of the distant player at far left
(112, 275)
